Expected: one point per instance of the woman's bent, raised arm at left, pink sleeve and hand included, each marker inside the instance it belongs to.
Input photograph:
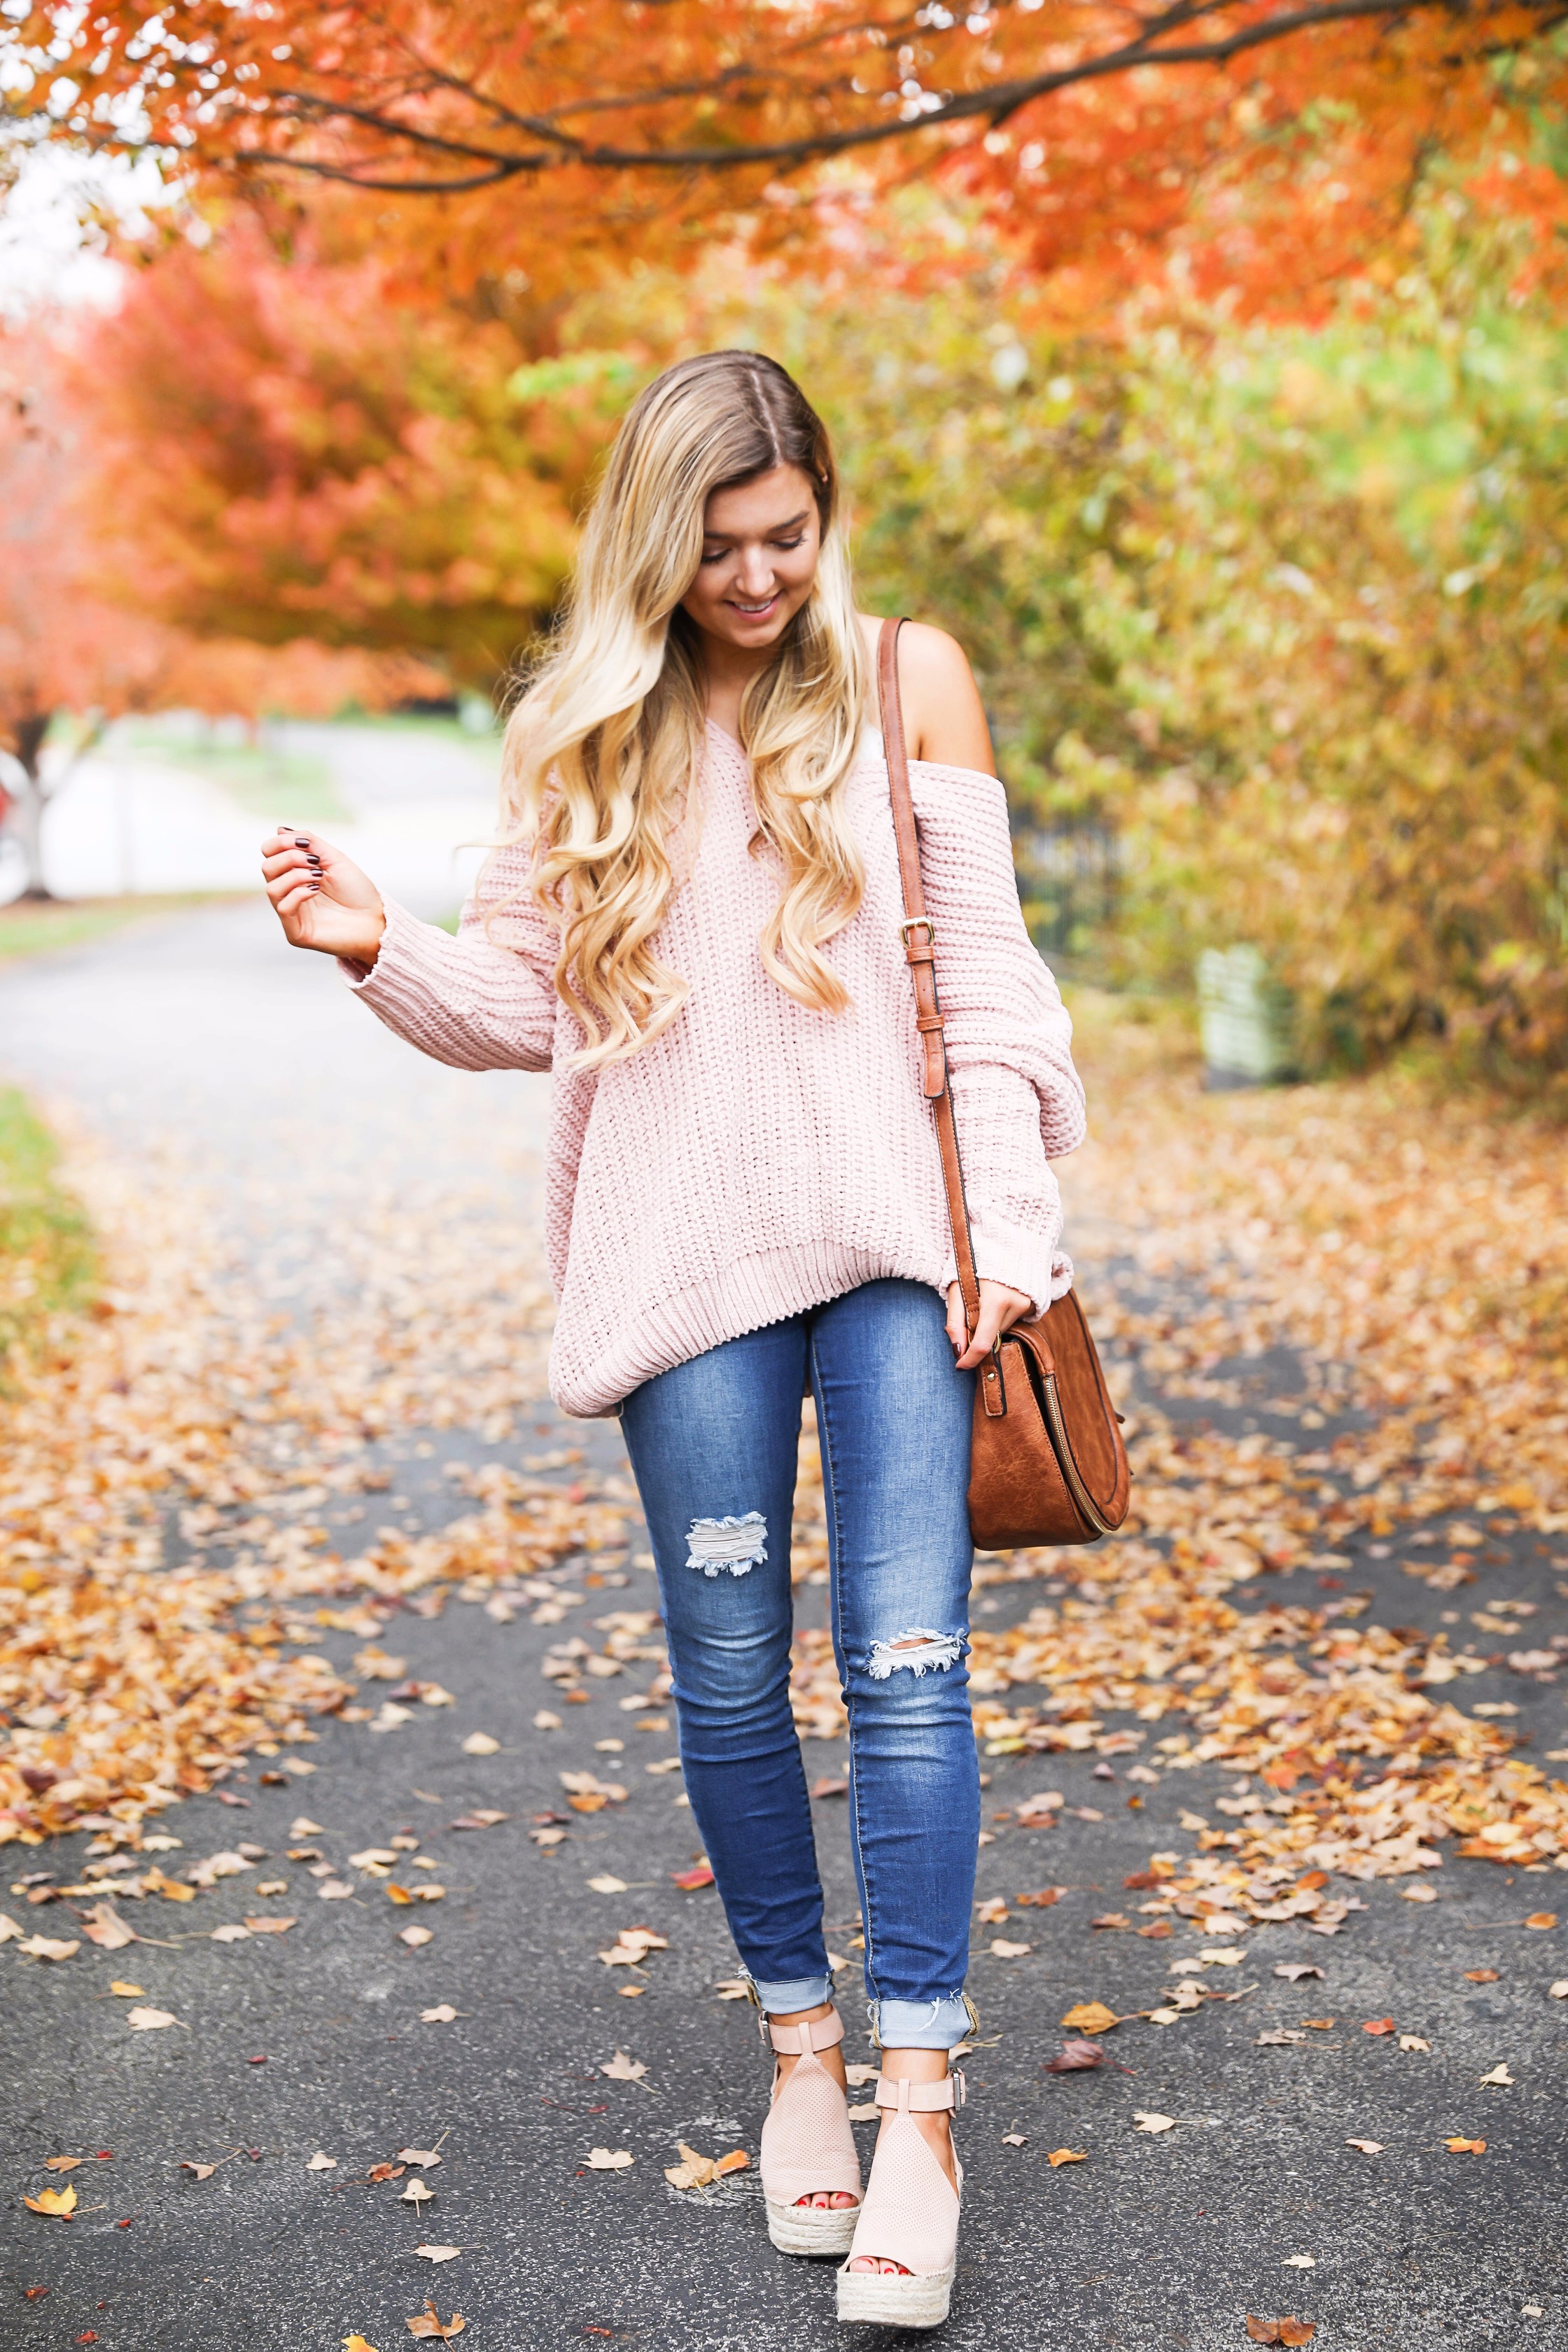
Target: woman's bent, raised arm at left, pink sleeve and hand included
(483, 1001)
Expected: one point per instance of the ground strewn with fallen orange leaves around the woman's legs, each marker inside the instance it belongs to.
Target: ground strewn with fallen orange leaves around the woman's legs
(295, 1551)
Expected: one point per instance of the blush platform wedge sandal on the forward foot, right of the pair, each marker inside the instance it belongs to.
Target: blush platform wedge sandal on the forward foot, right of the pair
(911, 2214)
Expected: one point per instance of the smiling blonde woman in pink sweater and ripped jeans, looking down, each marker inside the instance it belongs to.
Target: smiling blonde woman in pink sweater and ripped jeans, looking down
(697, 926)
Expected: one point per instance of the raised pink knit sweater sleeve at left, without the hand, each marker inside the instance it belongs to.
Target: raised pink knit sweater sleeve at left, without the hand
(483, 1001)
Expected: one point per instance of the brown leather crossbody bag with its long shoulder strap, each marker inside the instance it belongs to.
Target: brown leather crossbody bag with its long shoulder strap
(1047, 1462)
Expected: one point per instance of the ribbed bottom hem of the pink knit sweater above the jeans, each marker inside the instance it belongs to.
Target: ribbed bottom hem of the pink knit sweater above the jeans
(744, 1297)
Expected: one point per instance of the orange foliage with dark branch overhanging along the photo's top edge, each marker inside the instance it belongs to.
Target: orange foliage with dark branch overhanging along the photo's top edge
(1261, 145)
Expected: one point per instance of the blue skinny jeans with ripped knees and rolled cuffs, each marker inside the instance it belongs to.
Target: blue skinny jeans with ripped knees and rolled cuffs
(713, 1445)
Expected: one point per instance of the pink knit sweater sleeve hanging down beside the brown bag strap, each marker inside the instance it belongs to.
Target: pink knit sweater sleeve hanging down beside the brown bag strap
(1017, 1097)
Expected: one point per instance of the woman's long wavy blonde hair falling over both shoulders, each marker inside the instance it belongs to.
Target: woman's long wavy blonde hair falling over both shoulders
(605, 744)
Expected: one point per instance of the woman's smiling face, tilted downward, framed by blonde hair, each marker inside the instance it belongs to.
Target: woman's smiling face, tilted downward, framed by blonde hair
(760, 549)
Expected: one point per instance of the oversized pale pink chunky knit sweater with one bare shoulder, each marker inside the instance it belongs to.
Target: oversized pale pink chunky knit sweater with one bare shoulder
(760, 1158)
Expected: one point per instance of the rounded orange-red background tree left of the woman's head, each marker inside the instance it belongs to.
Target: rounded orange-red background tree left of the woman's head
(290, 455)
